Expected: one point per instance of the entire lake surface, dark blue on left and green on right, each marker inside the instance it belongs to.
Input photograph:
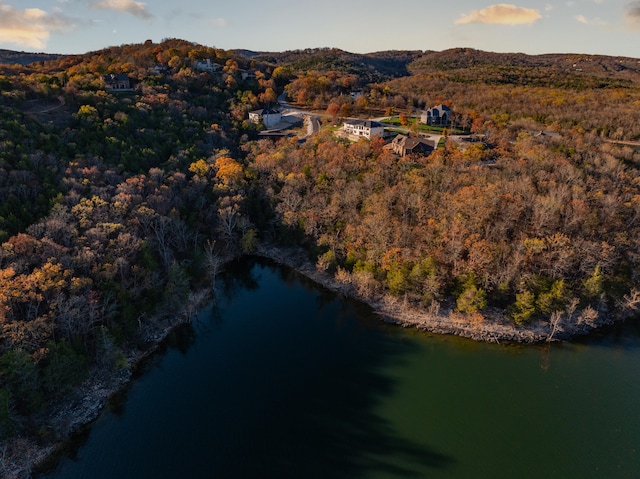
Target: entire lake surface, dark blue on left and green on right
(282, 379)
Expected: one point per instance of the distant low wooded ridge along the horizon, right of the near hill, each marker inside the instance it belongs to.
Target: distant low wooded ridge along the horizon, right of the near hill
(567, 70)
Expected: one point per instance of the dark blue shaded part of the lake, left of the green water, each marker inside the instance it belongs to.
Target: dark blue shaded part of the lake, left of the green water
(266, 387)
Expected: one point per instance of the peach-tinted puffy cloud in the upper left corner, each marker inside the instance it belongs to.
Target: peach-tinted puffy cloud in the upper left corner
(31, 27)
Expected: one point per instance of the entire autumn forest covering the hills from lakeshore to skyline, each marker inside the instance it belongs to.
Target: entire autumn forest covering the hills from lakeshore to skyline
(117, 207)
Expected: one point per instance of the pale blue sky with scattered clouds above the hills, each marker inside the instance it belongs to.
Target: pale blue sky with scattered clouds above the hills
(607, 27)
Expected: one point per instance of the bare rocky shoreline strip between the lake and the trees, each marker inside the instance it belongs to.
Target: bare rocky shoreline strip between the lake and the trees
(22, 456)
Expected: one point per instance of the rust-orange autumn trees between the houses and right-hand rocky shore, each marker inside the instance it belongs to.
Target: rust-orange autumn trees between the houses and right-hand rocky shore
(545, 223)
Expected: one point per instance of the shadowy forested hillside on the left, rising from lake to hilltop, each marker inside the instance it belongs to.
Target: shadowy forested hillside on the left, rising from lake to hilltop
(114, 208)
